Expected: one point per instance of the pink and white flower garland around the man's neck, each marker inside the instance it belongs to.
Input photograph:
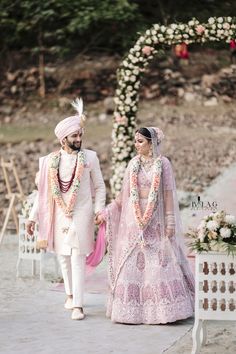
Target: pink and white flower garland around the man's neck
(55, 188)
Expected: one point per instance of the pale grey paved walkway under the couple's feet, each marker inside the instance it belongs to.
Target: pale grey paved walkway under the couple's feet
(33, 318)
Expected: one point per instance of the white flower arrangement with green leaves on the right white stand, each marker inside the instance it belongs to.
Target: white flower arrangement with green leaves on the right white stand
(216, 232)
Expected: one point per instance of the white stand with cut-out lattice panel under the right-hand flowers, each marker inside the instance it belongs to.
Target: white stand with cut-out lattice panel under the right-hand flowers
(215, 293)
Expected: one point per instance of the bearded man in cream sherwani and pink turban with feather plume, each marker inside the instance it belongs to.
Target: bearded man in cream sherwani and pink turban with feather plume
(68, 180)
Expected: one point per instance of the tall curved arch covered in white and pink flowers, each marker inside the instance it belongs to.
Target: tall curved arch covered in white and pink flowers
(132, 68)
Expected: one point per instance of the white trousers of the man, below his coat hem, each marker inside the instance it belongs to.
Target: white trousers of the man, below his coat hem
(73, 272)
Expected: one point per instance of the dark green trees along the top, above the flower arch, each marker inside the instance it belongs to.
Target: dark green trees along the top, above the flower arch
(61, 26)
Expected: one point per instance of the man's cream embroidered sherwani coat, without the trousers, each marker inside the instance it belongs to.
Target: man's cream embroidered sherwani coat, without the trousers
(77, 232)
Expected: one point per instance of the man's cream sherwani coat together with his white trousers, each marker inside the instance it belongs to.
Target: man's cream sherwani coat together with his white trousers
(73, 238)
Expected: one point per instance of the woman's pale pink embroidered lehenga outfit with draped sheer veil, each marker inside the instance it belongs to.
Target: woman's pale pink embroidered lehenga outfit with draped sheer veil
(150, 283)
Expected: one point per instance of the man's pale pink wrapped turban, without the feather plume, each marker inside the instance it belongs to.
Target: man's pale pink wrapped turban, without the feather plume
(68, 126)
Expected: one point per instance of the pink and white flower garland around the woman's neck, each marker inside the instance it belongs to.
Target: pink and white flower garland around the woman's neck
(143, 221)
